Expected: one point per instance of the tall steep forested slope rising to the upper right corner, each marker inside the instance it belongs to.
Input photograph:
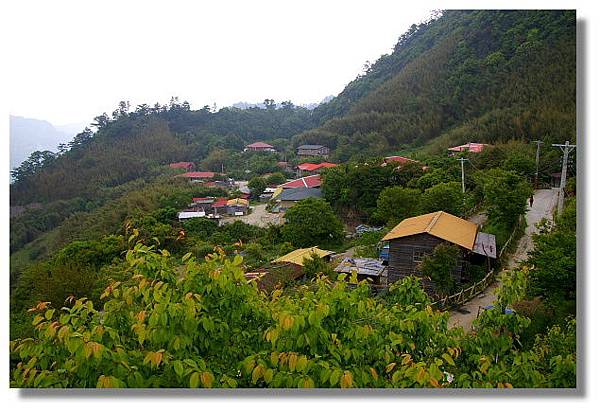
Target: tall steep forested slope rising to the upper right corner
(468, 76)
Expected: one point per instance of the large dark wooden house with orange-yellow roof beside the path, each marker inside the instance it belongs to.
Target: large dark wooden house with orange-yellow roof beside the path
(414, 238)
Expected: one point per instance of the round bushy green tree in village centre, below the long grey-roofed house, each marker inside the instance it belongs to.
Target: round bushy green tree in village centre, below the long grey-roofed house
(312, 222)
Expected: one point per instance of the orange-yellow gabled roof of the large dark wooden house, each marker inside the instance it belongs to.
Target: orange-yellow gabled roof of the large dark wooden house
(439, 224)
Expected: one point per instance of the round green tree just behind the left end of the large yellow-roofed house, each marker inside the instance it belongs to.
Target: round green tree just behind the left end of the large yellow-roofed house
(396, 203)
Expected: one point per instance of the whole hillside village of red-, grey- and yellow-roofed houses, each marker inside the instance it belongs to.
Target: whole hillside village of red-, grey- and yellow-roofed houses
(399, 252)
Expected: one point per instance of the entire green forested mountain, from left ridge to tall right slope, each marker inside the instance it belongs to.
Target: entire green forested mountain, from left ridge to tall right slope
(488, 76)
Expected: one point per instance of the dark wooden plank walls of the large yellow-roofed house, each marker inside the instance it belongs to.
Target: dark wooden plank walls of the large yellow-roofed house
(402, 258)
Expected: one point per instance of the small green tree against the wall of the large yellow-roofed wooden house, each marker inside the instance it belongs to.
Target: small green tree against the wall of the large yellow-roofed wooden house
(441, 265)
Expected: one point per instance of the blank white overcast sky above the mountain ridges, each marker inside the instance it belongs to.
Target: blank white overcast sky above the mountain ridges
(72, 60)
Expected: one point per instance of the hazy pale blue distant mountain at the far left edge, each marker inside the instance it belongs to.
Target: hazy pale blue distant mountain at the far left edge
(30, 135)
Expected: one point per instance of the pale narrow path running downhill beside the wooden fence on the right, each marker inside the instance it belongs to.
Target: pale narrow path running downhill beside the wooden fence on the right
(544, 203)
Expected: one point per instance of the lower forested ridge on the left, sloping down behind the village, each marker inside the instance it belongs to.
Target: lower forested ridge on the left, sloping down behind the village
(131, 145)
